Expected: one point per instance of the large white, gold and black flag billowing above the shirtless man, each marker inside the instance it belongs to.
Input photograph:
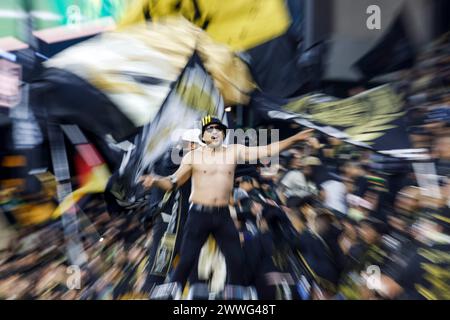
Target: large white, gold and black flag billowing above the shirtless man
(116, 83)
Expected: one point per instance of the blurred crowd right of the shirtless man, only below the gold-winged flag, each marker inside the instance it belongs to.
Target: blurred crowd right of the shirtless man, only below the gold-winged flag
(344, 232)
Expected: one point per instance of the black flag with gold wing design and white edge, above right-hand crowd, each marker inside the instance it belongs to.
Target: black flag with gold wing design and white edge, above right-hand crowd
(372, 119)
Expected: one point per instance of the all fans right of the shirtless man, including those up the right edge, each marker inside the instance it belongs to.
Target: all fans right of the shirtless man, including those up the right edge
(344, 223)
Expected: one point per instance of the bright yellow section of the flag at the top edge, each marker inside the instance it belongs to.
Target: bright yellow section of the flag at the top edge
(241, 24)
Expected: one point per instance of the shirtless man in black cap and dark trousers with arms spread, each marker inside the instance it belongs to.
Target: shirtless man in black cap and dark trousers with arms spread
(211, 169)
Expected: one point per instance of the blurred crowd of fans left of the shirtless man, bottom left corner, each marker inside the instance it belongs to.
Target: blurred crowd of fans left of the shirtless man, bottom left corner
(36, 264)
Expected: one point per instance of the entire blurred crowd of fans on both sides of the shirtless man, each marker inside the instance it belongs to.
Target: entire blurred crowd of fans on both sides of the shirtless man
(331, 222)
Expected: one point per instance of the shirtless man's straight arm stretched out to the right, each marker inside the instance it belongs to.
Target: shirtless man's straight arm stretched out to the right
(255, 153)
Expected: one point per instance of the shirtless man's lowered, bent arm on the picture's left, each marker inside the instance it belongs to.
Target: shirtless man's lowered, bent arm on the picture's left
(168, 183)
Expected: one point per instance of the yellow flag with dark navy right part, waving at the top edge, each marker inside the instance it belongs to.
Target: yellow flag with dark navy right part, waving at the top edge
(269, 35)
